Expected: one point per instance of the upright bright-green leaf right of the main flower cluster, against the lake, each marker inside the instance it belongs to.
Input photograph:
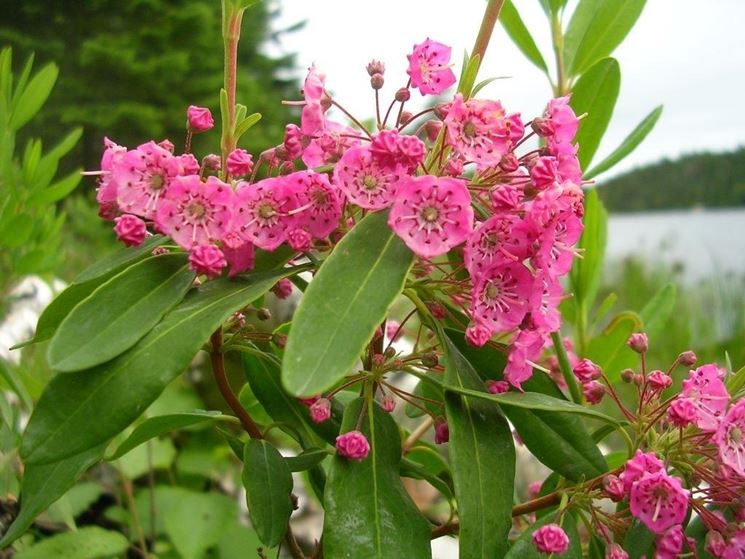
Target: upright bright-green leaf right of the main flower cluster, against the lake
(588, 271)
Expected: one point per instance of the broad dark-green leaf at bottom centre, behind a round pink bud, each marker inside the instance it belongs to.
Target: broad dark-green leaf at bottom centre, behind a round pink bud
(368, 513)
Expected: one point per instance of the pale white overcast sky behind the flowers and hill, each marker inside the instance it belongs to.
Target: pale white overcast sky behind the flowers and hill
(686, 54)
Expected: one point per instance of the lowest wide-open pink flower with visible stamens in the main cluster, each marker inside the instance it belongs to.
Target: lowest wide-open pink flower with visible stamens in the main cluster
(499, 298)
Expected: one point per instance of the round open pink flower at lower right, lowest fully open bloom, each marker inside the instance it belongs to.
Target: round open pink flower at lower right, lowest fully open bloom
(659, 501)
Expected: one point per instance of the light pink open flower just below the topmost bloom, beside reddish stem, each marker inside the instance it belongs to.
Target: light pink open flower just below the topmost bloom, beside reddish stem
(478, 130)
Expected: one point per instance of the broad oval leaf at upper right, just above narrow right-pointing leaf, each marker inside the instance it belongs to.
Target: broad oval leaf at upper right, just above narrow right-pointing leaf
(595, 93)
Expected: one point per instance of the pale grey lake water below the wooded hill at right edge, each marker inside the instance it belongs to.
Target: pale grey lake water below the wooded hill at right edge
(704, 242)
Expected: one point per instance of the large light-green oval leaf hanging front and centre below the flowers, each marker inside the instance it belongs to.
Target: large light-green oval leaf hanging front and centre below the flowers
(343, 305)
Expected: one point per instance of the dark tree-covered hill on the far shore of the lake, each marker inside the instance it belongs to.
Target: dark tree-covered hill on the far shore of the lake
(710, 180)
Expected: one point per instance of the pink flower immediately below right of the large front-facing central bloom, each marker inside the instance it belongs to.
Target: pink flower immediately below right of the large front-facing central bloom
(496, 241)
